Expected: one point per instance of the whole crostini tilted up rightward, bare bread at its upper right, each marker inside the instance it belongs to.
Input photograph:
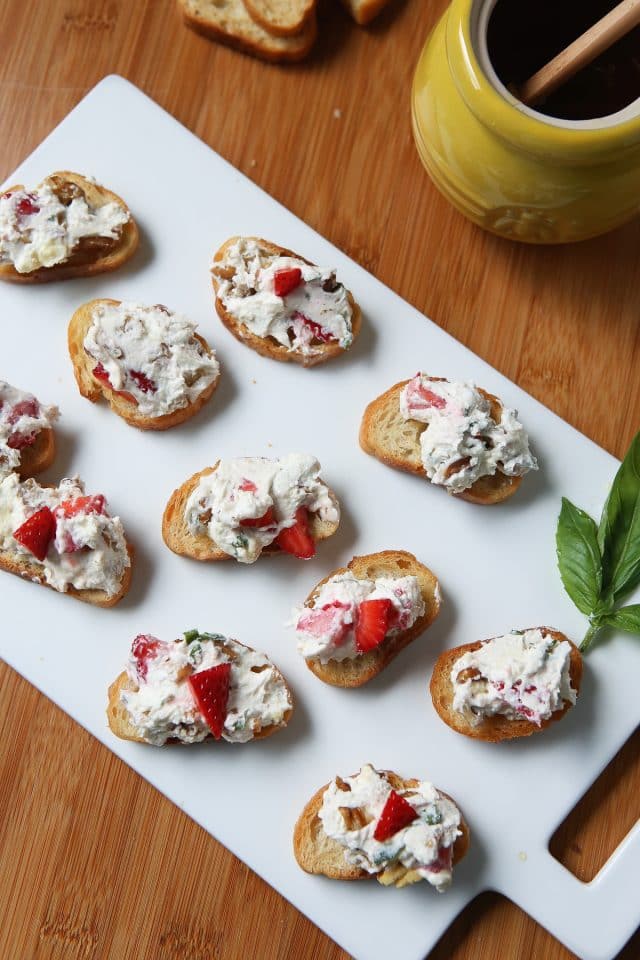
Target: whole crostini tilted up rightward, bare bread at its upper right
(356, 620)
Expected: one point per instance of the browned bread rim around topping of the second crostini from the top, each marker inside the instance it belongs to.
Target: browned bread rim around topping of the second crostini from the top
(267, 346)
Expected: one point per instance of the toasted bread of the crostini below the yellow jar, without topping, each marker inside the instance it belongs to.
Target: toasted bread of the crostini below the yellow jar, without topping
(386, 435)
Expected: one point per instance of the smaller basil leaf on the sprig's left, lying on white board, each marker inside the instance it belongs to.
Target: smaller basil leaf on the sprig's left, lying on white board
(579, 557)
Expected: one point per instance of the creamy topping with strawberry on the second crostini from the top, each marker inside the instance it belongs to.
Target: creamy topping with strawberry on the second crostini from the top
(299, 305)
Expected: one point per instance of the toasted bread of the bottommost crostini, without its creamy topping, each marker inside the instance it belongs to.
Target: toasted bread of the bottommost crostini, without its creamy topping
(319, 854)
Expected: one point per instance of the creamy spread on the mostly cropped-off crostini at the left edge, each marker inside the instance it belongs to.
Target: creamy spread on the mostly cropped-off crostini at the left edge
(22, 418)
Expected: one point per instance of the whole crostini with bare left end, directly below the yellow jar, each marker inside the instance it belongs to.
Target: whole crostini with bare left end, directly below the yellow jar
(457, 435)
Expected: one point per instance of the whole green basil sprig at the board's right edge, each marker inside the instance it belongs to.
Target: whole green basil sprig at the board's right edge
(600, 565)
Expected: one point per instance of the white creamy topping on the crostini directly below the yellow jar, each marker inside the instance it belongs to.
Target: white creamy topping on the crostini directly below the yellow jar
(462, 442)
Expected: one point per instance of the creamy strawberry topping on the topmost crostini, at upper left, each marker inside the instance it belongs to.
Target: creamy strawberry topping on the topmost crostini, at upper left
(55, 222)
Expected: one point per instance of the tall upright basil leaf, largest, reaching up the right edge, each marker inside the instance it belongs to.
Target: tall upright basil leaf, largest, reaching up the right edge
(619, 532)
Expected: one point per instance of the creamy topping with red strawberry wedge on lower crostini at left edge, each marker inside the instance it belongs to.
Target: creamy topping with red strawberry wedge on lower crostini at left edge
(70, 535)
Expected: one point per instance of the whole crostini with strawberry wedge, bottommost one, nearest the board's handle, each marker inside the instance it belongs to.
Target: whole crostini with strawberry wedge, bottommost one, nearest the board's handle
(377, 824)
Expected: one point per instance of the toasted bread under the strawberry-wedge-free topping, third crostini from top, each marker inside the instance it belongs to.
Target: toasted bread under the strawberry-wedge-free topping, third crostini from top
(94, 389)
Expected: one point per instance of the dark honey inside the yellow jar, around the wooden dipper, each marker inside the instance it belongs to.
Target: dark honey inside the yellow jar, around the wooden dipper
(523, 35)
